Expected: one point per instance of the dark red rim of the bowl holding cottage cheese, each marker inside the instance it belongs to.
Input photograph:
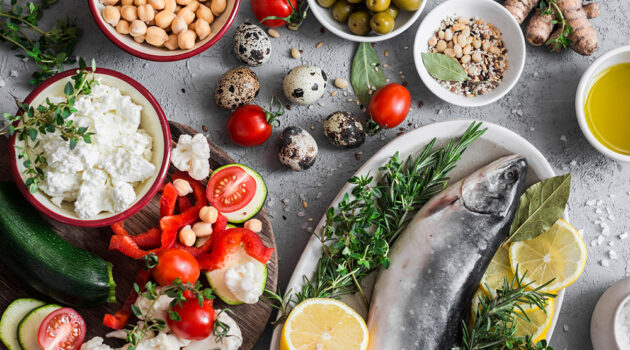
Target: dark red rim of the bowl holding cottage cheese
(153, 190)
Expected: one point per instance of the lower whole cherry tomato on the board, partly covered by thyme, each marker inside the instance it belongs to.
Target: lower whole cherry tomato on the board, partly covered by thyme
(196, 321)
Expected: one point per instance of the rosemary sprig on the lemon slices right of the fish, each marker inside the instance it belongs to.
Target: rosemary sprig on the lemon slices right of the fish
(494, 323)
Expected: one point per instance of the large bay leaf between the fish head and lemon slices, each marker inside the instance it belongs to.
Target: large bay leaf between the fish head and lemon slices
(540, 207)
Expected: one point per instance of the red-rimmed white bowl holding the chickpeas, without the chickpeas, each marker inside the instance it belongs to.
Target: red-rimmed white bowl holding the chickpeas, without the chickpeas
(219, 26)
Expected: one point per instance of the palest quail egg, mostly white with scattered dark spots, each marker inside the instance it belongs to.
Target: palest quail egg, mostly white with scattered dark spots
(305, 84)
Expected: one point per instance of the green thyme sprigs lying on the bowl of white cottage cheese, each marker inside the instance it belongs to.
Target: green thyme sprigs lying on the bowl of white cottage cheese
(31, 122)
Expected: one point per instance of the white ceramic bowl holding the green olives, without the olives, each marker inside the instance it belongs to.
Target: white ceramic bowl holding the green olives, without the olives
(324, 15)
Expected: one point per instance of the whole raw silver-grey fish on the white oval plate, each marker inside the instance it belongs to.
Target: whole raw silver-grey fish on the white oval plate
(419, 302)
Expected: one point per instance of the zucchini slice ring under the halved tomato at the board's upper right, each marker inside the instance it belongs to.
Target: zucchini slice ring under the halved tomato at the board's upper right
(255, 204)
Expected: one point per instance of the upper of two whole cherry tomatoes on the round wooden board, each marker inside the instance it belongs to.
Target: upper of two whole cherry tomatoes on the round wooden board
(175, 263)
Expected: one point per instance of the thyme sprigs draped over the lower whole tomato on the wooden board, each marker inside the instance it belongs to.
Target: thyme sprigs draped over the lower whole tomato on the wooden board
(177, 291)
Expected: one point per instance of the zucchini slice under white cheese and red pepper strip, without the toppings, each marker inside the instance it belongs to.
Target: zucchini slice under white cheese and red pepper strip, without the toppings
(216, 278)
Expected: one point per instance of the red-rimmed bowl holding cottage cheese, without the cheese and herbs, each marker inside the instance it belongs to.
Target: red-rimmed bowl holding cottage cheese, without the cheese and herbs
(153, 121)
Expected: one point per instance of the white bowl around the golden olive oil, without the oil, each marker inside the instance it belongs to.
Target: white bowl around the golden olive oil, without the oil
(611, 58)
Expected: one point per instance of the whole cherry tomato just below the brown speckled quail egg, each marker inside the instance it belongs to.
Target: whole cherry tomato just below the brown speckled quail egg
(250, 125)
